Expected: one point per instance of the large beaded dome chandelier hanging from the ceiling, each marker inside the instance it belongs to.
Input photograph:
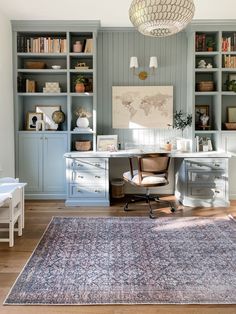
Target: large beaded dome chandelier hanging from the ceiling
(160, 18)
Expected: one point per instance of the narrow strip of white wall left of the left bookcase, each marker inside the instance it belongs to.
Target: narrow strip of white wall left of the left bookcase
(6, 100)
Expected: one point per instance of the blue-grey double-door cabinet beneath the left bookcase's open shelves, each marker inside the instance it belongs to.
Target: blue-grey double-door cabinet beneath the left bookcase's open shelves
(42, 166)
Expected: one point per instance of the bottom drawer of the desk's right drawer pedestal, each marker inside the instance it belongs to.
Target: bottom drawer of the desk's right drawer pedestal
(206, 192)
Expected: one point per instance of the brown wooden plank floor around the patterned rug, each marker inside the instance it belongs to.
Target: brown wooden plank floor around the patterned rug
(39, 214)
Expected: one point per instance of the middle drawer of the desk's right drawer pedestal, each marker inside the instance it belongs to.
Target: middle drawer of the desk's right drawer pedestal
(205, 177)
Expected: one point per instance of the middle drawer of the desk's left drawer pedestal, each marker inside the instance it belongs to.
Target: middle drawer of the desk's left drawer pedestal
(89, 178)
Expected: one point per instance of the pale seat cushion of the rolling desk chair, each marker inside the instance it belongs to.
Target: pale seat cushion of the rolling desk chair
(147, 179)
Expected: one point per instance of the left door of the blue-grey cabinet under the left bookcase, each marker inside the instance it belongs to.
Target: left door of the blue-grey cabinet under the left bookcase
(30, 161)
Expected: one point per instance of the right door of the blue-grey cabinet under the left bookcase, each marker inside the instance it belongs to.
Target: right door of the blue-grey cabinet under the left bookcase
(54, 169)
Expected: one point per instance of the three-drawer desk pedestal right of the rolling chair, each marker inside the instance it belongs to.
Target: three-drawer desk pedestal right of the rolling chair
(202, 182)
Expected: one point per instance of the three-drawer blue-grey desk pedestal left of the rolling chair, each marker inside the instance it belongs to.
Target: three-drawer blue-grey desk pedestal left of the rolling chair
(87, 181)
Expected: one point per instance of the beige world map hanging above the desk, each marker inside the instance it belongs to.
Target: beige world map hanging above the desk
(138, 107)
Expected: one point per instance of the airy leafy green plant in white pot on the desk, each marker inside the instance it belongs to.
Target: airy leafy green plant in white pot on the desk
(181, 122)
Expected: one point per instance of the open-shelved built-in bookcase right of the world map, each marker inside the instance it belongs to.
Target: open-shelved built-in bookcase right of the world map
(212, 55)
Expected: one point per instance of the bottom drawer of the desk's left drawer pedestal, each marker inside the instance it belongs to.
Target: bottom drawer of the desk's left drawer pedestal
(86, 192)
